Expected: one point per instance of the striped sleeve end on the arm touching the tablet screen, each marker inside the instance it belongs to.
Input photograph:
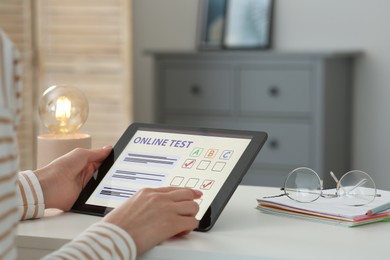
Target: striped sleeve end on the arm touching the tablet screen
(100, 241)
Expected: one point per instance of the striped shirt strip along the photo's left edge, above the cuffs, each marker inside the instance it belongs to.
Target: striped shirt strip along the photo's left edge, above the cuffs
(9, 112)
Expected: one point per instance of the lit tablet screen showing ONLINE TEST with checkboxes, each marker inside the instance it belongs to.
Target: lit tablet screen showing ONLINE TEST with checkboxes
(156, 159)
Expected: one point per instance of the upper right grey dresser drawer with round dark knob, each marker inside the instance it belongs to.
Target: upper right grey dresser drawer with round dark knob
(275, 90)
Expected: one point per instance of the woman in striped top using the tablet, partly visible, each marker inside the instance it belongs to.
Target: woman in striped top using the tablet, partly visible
(141, 222)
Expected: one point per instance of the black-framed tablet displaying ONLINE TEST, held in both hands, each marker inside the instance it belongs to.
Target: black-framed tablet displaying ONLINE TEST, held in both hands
(152, 155)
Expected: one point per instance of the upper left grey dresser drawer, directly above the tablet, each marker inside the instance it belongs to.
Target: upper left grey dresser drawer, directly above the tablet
(197, 90)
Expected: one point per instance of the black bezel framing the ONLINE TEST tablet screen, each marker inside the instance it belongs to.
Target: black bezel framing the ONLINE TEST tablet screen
(257, 138)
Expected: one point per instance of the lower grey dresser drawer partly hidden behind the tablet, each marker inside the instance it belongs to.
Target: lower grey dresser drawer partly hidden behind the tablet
(288, 143)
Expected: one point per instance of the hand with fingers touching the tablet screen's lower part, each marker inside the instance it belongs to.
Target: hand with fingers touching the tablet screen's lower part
(154, 215)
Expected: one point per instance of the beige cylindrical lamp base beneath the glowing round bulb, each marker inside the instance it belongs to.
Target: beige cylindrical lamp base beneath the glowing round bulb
(51, 146)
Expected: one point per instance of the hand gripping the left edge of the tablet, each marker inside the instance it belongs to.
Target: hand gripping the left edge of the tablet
(63, 179)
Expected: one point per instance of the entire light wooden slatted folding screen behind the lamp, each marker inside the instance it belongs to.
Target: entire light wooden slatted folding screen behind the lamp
(83, 43)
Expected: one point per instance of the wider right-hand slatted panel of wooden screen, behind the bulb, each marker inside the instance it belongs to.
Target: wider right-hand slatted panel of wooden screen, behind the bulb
(86, 44)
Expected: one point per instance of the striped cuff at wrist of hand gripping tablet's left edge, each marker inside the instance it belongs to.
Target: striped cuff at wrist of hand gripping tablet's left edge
(30, 196)
